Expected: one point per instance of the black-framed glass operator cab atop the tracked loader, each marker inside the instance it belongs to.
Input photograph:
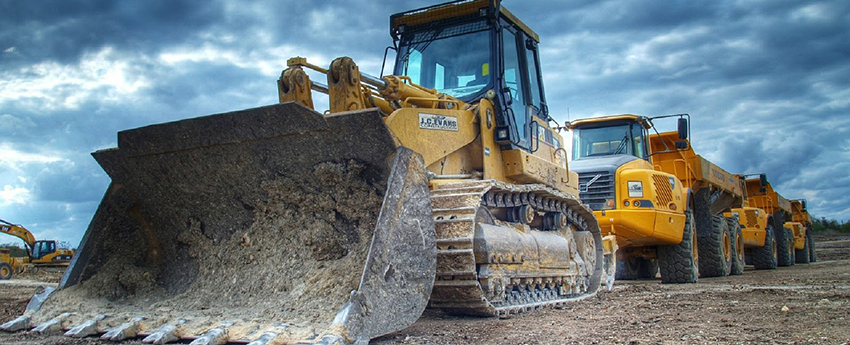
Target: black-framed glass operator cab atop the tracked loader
(475, 49)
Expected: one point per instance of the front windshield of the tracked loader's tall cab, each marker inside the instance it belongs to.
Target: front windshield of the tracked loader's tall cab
(455, 60)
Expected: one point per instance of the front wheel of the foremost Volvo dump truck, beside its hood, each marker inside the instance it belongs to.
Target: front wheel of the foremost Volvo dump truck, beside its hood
(679, 263)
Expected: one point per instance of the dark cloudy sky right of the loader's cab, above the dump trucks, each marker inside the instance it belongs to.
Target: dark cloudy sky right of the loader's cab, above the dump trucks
(766, 82)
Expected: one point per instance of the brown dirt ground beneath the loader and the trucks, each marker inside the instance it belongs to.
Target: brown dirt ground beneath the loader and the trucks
(802, 304)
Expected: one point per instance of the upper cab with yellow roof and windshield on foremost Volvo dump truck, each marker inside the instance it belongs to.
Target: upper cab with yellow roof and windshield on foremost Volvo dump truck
(610, 136)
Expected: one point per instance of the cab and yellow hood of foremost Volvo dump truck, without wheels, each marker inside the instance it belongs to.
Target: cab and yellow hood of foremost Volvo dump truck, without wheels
(642, 206)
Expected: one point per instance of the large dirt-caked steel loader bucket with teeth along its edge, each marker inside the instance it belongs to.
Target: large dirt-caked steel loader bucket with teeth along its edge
(271, 225)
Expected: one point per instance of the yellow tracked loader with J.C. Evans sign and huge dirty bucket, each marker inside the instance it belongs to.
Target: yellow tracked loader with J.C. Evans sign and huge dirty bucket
(441, 185)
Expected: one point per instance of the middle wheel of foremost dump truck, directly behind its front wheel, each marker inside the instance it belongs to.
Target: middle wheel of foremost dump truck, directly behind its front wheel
(715, 248)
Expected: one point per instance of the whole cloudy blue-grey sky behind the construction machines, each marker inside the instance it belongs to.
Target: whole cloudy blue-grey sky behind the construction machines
(767, 82)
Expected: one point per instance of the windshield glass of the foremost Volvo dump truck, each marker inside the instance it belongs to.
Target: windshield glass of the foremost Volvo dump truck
(605, 141)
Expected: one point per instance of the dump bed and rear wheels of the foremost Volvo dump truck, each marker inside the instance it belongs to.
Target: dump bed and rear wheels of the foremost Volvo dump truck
(715, 191)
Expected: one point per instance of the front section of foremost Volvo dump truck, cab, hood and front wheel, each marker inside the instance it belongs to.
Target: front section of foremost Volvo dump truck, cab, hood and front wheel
(649, 211)
